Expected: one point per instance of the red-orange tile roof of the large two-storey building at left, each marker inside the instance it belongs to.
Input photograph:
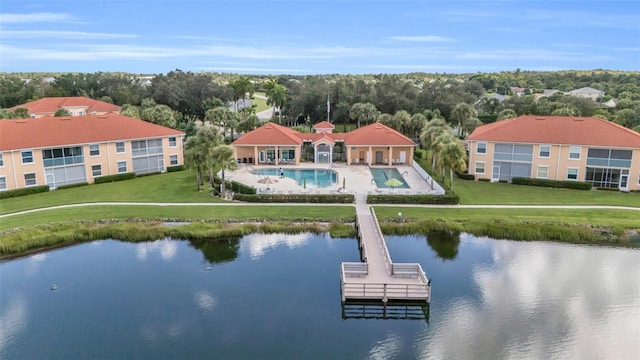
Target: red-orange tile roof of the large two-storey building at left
(50, 131)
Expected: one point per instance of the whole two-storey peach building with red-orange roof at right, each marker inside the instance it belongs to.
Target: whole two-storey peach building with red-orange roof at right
(587, 149)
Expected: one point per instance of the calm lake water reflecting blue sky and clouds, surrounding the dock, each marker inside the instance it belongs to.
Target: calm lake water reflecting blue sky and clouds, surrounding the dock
(278, 296)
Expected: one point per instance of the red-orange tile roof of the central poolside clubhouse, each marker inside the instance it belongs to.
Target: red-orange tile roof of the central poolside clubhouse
(274, 134)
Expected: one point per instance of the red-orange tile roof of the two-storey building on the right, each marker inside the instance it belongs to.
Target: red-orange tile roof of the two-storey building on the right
(558, 130)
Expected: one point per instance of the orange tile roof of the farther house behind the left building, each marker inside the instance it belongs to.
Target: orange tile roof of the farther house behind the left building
(51, 104)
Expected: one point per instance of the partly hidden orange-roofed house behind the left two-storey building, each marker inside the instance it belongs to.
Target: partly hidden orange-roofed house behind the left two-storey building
(76, 106)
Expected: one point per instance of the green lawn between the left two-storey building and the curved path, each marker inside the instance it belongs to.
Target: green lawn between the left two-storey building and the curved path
(168, 187)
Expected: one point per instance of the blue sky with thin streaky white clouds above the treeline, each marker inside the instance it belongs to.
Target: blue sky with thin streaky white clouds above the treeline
(318, 37)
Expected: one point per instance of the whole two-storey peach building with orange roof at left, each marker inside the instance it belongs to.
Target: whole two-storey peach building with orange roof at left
(56, 151)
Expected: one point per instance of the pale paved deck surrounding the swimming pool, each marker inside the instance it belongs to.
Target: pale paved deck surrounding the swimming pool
(357, 180)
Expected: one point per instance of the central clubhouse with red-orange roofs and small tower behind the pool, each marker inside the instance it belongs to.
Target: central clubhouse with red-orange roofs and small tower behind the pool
(371, 144)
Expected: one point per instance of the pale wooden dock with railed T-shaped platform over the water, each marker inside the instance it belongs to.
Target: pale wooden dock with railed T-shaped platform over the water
(377, 278)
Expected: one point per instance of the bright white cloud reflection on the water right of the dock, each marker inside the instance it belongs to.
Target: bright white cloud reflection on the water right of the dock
(541, 300)
